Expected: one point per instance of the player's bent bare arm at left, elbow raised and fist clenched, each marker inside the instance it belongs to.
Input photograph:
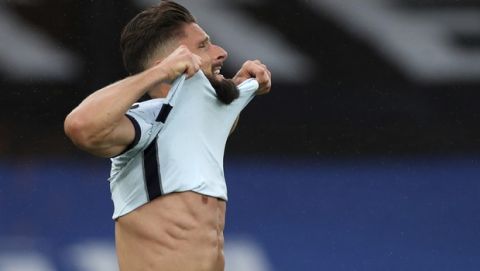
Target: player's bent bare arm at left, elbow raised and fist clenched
(99, 125)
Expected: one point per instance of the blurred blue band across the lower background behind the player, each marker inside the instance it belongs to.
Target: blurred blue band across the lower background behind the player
(283, 215)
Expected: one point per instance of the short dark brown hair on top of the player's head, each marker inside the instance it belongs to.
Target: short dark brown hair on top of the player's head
(150, 30)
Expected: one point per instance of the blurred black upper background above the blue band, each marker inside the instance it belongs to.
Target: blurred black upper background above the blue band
(360, 96)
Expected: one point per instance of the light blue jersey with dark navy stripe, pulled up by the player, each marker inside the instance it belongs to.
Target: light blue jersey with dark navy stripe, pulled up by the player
(179, 144)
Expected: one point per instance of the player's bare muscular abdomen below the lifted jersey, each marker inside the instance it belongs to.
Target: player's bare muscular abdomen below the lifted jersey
(179, 231)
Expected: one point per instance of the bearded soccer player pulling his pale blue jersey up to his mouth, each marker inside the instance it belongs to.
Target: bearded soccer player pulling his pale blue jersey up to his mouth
(167, 179)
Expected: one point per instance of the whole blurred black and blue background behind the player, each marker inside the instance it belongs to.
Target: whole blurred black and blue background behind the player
(365, 156)
